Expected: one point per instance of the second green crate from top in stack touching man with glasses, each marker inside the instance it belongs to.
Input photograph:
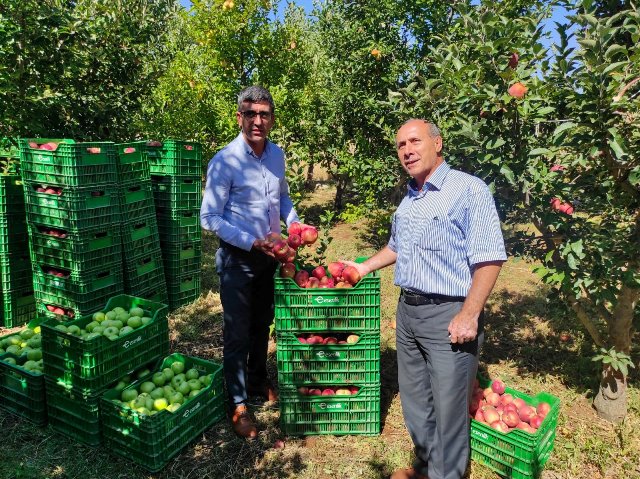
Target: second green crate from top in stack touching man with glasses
(177, 192)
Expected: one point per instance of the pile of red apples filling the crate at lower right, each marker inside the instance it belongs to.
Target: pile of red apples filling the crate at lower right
(504, 412)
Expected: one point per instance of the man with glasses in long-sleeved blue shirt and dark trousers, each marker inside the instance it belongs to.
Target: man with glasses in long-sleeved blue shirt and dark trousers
(245, 197)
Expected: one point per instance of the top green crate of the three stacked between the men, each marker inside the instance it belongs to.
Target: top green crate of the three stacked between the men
(327, 309)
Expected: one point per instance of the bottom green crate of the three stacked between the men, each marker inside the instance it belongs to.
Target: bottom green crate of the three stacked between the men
(358, 414)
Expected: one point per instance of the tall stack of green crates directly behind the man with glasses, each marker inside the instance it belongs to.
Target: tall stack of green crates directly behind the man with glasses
(176, 176)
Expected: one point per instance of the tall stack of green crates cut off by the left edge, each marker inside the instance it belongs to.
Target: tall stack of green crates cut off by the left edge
(17, 303)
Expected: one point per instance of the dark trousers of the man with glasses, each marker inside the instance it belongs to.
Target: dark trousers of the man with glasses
(246, 292)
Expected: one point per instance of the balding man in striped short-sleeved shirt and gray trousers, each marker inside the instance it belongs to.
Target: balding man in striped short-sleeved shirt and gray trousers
(448, 249)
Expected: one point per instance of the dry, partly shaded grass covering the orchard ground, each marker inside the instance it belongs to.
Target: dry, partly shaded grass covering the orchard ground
(522, 347)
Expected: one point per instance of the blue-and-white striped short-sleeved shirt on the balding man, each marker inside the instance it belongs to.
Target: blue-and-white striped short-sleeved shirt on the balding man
(441, 231)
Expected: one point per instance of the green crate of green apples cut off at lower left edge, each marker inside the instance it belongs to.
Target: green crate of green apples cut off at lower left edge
(22, 388)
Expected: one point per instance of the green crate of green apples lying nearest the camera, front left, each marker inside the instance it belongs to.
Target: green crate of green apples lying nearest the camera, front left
(150, 428)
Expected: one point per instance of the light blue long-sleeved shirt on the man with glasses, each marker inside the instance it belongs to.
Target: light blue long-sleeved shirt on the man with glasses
(246, 196)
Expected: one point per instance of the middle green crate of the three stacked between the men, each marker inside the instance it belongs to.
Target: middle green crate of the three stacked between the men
(355, 363)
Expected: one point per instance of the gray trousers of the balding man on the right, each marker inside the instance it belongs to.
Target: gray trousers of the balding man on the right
(436, 380)
